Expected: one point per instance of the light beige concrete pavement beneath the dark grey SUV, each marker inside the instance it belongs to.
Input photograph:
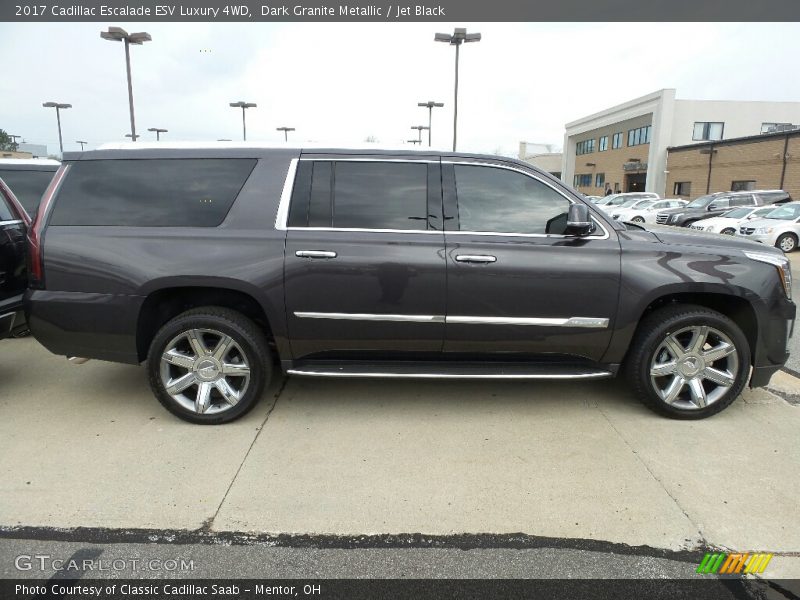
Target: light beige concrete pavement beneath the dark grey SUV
(89, 446)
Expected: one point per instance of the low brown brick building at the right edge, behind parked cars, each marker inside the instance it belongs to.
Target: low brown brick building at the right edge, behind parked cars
(768, 161)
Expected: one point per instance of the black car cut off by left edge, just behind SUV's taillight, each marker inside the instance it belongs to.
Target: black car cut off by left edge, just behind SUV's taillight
(14, 222)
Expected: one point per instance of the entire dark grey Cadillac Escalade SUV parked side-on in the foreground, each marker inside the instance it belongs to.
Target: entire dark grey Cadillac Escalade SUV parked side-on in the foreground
(209, 262)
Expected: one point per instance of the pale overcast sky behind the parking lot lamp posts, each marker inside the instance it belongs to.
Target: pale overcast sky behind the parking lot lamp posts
(339, 83)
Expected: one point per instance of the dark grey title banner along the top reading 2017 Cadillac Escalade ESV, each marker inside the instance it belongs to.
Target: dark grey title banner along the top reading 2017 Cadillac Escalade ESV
(398, 10)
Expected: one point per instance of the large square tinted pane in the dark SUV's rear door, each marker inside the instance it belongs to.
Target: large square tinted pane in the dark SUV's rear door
(380, 195)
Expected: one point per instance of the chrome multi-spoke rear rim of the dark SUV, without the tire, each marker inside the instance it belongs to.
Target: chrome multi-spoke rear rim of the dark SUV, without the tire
(205, 371)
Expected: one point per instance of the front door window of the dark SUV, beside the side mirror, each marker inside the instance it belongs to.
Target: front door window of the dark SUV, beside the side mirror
(504, 201)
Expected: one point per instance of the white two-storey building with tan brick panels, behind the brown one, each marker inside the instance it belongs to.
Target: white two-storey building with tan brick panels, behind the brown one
(625, 147)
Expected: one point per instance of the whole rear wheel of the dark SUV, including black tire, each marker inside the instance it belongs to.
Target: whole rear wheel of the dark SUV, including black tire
(202, 392)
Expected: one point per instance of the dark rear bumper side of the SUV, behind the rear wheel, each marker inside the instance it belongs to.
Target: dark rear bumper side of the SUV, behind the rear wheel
(101, 326)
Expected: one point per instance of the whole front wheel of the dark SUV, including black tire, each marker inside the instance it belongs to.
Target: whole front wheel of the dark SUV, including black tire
(653, 351)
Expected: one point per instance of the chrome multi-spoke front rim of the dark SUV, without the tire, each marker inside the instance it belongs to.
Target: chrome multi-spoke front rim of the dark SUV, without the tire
(694, 367)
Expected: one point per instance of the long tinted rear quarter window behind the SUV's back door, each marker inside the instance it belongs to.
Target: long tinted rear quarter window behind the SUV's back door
(150, 193)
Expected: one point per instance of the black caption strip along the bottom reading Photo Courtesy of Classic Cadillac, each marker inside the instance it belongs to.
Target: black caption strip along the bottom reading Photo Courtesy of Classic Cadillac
(397, 589)
